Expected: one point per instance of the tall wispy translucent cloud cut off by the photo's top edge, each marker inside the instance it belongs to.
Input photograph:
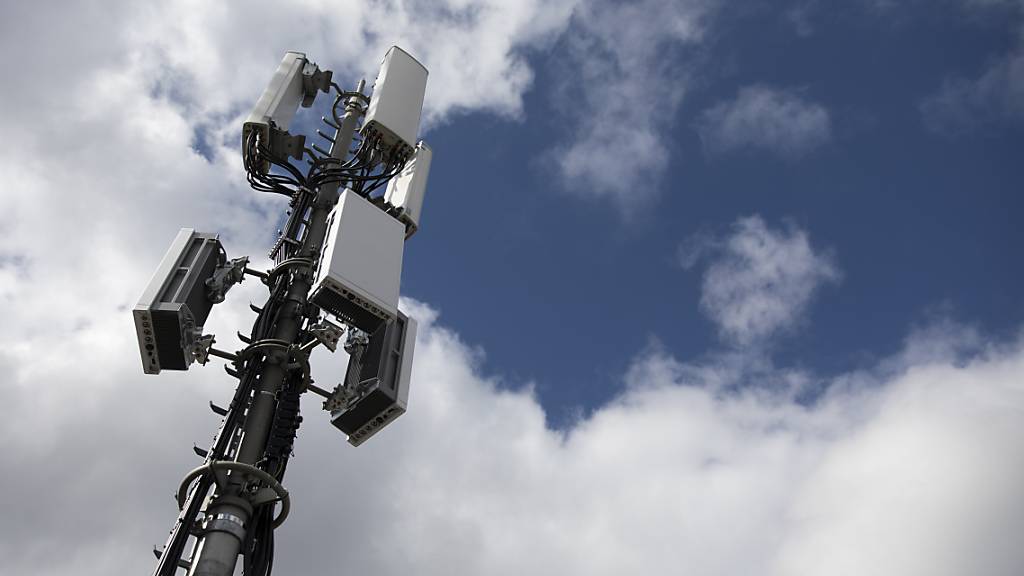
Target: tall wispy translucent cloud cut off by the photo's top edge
(624, 76)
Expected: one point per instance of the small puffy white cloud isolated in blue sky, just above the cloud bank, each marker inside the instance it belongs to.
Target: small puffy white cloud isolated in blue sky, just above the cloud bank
(760, 281)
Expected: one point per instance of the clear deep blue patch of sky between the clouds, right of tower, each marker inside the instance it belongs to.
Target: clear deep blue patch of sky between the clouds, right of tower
(920, 223)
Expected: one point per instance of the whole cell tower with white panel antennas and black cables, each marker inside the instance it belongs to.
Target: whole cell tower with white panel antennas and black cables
(336, 273)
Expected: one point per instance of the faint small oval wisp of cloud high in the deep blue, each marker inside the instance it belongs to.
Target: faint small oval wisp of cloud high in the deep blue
(771, 119)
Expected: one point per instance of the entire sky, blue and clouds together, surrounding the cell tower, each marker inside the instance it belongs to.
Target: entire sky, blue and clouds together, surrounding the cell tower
(704, 287)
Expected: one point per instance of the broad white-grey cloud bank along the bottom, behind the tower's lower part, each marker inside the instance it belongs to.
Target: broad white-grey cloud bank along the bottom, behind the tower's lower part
(908, 470)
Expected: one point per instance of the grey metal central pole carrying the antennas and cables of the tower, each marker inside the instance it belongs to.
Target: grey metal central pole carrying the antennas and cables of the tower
(229, 516)
